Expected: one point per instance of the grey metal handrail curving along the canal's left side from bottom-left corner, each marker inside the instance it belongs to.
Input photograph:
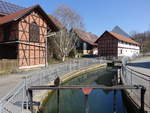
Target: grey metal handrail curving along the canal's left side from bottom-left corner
(31, 79)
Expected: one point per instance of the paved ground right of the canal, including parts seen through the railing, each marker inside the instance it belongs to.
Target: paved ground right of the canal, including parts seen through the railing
(141, 65)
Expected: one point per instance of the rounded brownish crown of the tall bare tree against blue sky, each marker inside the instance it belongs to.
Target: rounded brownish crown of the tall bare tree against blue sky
(68, 17)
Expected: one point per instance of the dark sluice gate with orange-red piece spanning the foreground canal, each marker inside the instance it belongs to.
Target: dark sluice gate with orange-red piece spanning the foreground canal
(86, 89)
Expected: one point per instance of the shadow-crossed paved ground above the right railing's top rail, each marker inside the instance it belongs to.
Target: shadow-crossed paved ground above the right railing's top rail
(141, 65)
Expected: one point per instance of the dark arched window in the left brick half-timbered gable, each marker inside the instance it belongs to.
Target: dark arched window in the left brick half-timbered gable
(34, 32)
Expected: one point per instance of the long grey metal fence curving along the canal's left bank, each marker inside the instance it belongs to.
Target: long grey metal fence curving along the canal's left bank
(17, 99)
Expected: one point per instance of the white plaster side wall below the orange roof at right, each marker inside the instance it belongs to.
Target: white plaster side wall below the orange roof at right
(126, 49)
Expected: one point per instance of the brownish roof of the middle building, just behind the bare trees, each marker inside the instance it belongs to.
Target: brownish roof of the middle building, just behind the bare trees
(86, 36)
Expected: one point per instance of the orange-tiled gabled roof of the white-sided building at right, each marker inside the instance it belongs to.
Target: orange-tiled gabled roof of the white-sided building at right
(120, 37)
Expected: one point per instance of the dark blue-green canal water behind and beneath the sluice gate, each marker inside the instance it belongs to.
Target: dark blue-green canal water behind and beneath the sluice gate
(99, 101)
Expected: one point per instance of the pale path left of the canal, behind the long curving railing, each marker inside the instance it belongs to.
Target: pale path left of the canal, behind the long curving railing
(9, 82)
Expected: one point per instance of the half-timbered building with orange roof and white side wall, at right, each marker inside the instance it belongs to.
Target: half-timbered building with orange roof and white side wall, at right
(113, 45)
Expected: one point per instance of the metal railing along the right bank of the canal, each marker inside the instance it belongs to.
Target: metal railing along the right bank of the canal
(131, 77)
